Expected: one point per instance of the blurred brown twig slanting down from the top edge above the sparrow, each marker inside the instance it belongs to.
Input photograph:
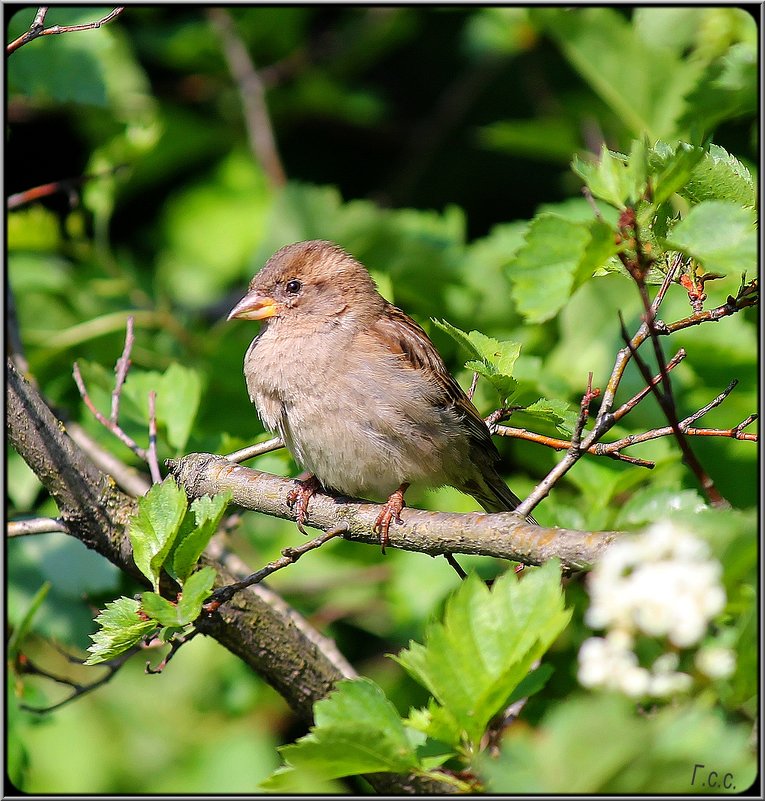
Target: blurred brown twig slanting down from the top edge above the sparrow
(252, 94)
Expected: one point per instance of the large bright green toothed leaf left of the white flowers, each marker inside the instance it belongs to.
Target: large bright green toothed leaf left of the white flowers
(485, 646)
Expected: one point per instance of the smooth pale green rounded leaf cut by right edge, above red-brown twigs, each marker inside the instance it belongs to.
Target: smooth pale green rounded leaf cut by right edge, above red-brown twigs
(720, 235)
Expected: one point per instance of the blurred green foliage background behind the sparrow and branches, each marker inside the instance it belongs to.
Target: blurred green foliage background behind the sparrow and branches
(435, 145)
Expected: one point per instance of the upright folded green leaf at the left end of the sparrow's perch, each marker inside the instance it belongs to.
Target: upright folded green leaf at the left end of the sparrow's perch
(153, 528)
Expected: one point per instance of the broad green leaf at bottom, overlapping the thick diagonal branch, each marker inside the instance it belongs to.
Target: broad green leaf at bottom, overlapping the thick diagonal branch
(357, 730)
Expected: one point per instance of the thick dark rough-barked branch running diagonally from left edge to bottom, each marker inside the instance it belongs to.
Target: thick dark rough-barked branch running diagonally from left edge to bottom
(262, 634)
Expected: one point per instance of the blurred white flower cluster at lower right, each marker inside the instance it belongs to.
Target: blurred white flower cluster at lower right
(661, 584)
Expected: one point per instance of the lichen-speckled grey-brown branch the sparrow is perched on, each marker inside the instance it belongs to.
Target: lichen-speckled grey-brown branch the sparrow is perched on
(501, 535)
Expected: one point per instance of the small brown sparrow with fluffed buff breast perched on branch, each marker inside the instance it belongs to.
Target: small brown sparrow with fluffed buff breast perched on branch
(357, 390)
